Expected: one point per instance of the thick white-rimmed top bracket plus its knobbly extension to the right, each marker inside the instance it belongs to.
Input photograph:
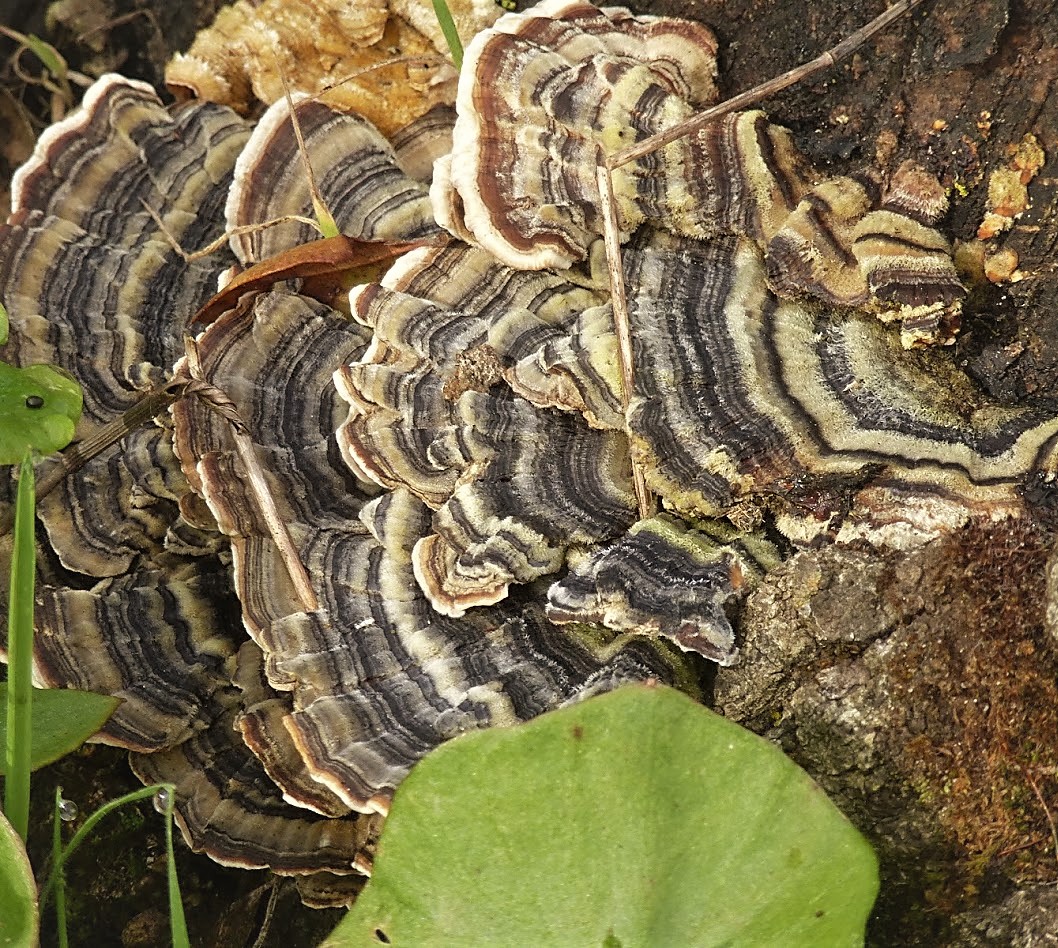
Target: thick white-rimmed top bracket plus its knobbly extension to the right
(544, 99)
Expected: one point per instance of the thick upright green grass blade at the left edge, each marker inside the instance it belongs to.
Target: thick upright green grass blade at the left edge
(21, 657)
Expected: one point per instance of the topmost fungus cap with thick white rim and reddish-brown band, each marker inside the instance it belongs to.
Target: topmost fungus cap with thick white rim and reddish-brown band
(566, 81)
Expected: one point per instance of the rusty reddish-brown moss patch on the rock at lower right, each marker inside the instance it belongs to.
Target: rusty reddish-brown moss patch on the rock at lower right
(979, 678)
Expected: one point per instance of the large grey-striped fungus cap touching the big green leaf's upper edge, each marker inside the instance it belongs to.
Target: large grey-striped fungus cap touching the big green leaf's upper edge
(376, 678)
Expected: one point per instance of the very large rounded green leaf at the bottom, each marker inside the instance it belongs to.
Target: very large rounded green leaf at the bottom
(636, 818)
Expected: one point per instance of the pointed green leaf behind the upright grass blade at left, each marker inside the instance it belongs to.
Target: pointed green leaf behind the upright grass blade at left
(63, 720)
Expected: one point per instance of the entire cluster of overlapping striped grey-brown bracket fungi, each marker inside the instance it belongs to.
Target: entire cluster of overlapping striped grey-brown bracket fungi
(364, 528)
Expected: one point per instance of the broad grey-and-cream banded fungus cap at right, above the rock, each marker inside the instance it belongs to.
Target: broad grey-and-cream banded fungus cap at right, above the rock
(743, 397)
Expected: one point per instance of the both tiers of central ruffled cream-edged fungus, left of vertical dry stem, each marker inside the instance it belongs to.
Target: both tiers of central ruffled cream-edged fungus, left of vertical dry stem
(428, 414)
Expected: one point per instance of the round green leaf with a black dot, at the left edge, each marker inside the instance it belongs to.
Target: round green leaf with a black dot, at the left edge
(40, 408)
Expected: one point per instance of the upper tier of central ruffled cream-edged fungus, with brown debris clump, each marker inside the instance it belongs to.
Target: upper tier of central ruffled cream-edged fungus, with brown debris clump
(445, 323)
